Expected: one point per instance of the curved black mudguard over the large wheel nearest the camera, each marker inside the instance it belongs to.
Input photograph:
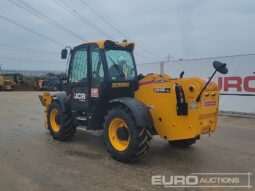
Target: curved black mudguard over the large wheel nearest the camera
(139, 110)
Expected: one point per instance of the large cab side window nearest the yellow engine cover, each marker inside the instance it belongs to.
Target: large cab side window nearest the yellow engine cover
(120, 65)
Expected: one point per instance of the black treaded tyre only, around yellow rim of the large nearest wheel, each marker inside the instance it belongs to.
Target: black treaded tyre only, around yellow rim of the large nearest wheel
(139, 136)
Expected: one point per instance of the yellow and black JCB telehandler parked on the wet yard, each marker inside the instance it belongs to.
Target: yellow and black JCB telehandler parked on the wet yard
(103, 91)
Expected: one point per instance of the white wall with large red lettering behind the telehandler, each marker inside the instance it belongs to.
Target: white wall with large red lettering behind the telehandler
(237, 87)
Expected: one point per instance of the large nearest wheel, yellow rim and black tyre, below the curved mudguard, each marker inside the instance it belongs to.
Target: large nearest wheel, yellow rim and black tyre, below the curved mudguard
(124, 139)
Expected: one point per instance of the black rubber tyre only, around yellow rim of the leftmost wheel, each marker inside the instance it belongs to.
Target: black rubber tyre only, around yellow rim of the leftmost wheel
(67, 128)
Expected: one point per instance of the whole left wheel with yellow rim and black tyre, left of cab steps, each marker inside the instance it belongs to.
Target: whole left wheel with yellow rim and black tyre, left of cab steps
(60, 123)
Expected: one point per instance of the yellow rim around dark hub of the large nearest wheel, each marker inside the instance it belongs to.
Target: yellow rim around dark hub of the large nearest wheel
(117, 143)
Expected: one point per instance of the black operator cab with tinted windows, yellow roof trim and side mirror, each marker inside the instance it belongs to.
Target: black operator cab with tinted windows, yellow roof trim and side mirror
(98, 72)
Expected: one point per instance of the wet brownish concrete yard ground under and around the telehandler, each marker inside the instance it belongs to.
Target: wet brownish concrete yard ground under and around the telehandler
(31, 160)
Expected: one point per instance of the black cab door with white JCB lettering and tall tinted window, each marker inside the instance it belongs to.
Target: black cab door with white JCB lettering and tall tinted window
(78, 79)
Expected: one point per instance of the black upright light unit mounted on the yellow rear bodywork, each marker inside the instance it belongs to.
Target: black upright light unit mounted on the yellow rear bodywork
(182, 106)
